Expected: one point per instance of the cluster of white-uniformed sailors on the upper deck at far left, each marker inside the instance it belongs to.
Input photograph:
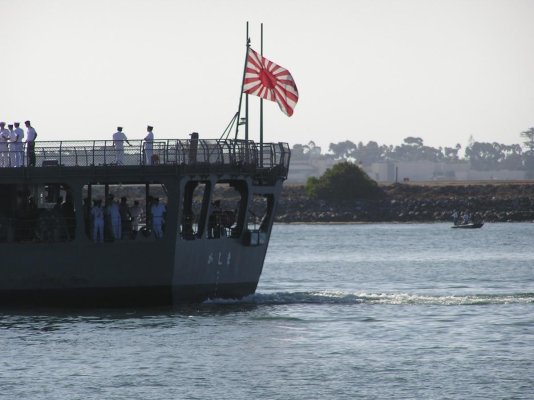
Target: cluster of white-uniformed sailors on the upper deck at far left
(12, 146)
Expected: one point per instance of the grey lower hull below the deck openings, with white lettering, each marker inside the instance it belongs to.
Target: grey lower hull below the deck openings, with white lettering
(127, 273)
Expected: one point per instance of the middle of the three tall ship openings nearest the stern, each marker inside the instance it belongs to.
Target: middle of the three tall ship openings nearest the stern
(227, 210)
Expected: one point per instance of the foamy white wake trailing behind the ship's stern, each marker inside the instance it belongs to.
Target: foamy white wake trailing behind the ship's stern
(342, 298)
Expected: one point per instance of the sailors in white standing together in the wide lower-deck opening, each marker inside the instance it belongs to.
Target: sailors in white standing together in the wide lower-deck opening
(122, 220)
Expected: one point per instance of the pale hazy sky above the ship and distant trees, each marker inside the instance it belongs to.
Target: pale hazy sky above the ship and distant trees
(366, 69)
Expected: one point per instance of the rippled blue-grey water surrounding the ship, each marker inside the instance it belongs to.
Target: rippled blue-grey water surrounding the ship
(376, 311)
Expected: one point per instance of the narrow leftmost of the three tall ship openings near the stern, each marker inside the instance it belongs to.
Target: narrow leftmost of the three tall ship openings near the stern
(195, 208)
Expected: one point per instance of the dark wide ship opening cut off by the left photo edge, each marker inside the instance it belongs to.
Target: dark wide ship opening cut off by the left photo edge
(37, 213)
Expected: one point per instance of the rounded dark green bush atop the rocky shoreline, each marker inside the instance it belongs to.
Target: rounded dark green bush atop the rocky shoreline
(343, 182)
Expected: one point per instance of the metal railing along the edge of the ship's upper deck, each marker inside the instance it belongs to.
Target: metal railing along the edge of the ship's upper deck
(164, 152)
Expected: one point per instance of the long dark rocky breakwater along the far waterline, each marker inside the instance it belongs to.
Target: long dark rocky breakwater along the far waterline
(414, 203)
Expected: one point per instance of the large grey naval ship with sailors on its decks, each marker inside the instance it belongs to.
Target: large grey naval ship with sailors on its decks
(220, 197)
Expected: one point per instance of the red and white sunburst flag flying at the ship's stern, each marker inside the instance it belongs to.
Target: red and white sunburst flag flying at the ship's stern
(269, 81)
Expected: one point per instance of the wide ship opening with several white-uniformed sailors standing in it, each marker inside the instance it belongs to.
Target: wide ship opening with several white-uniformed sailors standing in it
(123, 212)
